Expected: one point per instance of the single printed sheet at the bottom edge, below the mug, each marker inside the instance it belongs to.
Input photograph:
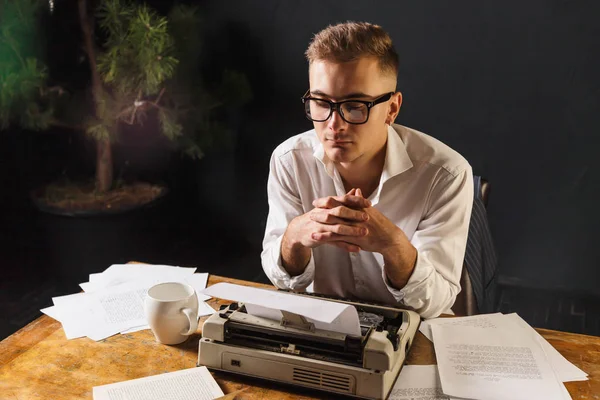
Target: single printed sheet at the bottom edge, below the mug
(188, 384)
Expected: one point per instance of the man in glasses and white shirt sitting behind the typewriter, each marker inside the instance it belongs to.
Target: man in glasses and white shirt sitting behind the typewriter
(360, 207)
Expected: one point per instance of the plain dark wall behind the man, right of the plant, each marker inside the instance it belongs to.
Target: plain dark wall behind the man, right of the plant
(513, 86)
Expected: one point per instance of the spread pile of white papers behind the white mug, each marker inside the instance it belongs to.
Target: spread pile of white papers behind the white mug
(113, 301)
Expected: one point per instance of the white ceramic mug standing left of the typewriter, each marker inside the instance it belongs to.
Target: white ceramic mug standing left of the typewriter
(172, 311)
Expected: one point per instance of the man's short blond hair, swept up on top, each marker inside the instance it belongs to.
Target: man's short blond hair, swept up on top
(350, 41)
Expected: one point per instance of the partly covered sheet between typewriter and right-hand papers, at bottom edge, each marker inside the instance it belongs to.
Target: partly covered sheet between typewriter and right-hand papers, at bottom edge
(418, 382)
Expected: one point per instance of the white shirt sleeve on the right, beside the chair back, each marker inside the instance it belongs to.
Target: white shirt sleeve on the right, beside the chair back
(440, 240)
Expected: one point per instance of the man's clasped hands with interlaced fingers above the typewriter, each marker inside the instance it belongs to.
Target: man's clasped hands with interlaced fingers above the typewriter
(348, 222)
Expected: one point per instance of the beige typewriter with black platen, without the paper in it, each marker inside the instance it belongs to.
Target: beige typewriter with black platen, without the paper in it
(293, 351)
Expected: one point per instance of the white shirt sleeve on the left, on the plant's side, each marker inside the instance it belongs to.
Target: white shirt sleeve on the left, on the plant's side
(284, 205)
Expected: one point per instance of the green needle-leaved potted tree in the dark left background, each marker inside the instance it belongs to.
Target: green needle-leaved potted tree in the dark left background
(144, 74)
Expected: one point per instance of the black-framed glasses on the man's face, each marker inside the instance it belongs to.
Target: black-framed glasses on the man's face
(352, 111)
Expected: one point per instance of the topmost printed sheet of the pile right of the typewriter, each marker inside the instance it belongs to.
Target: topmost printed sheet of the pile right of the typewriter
(502, 364)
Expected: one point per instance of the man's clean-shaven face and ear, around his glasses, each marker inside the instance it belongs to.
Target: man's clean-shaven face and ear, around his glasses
(357, 80)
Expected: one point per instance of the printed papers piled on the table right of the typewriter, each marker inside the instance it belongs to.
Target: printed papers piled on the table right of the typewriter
(489, 356)
